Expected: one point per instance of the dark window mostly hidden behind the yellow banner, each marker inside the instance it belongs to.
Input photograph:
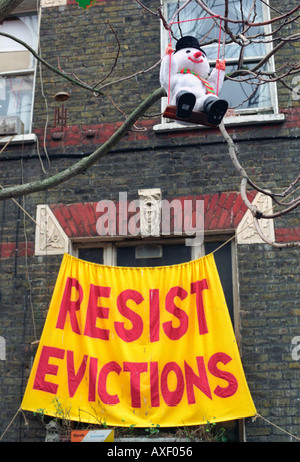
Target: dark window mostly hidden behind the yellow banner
(167, 252)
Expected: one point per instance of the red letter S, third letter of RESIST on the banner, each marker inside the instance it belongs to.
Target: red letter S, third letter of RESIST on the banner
(129, 335)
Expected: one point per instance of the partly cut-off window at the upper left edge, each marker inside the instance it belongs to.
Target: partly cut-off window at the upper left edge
(17, 67)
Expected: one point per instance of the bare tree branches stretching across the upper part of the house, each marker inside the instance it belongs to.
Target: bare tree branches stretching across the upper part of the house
(254, 76)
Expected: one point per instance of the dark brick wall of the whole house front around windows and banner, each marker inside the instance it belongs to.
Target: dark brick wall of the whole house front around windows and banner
(185, 163)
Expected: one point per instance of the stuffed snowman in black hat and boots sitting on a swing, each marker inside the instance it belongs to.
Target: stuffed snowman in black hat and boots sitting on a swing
(191, 86)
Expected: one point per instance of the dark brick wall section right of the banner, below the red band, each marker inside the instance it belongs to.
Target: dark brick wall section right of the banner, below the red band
(269, 297)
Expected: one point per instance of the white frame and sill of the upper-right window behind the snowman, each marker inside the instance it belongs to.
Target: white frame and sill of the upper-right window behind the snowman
(246, 116)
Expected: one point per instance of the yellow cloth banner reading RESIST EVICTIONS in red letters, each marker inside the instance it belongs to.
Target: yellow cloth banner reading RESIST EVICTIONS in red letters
(139, 346)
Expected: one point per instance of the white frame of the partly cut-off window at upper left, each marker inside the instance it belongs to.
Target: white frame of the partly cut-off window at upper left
(29, 137)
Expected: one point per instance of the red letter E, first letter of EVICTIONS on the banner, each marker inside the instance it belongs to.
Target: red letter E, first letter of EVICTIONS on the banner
(45, 368)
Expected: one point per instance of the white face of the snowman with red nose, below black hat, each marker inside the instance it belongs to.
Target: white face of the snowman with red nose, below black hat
(192, 59)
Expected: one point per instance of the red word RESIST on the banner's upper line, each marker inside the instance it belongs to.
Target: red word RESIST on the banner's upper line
(73, 296)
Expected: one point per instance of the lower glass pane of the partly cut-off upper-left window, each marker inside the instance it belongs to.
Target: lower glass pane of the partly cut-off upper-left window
(16, 98)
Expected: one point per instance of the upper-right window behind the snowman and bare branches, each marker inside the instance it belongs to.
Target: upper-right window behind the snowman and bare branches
(244, 97)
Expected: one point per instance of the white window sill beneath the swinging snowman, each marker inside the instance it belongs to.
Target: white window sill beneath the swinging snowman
(229, 122)
